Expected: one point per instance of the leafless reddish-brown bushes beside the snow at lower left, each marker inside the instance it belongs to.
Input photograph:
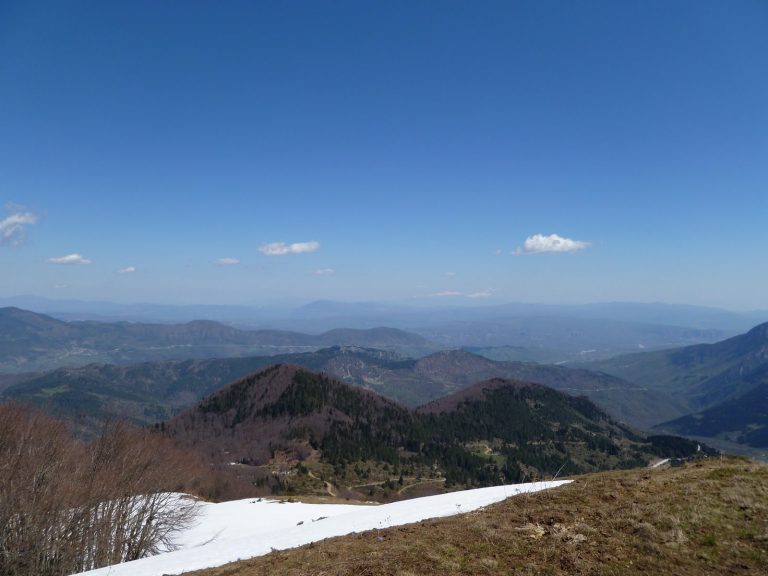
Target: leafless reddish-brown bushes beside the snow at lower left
(67, 507)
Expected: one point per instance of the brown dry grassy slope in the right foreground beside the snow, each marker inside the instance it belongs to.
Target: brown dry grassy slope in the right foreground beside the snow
(709, 517)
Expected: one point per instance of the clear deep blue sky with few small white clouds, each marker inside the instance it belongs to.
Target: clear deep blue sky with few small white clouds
(424, 151)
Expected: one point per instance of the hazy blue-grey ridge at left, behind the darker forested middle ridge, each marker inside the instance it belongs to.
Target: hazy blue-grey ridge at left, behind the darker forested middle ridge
(31, 341)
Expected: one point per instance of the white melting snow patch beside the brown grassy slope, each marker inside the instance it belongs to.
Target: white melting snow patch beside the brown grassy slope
(244, 529)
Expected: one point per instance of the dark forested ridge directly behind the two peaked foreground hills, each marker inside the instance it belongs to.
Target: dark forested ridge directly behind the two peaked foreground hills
(153, 391)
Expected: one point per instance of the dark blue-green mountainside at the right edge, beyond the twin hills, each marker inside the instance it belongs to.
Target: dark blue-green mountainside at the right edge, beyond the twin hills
(723, 386)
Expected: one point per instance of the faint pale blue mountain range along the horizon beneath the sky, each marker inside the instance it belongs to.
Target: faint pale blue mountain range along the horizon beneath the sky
(325, 314)
